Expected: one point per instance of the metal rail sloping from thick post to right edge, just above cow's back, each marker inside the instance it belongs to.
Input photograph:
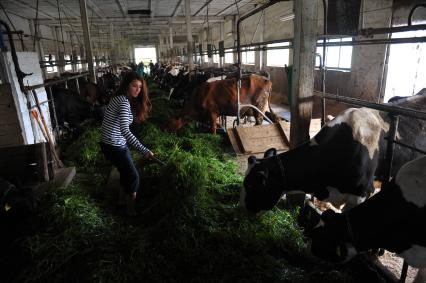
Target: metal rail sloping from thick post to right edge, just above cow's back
(396, 110)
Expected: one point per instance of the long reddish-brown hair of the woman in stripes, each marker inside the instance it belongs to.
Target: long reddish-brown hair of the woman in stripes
(141, 105)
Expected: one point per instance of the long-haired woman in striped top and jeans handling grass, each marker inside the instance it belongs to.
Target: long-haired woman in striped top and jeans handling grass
(116, 135)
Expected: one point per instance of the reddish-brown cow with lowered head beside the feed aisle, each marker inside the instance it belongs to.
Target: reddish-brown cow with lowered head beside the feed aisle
(210, 100)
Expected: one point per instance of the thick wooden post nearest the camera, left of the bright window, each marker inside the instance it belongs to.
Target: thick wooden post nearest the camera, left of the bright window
(305, 24)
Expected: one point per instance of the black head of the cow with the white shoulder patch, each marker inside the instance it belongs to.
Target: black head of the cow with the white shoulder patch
(263, 184)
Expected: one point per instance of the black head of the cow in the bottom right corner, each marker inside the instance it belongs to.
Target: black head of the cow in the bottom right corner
(330, 239)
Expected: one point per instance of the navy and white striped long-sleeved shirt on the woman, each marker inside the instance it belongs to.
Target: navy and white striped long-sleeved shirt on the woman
(115, 125)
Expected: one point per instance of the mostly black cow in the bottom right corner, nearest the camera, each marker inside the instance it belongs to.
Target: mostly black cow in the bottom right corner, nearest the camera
(393, 219)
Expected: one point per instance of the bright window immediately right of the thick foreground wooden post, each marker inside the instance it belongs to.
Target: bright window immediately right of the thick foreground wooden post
(337, 57)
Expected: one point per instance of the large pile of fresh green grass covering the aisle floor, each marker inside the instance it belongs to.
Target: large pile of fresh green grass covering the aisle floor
(190, 227)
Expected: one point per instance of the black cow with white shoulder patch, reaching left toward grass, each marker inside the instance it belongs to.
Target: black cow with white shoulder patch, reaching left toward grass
(339, 164)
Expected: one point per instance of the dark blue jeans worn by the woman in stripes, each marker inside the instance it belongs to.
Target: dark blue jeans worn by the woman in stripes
(121, 158)
